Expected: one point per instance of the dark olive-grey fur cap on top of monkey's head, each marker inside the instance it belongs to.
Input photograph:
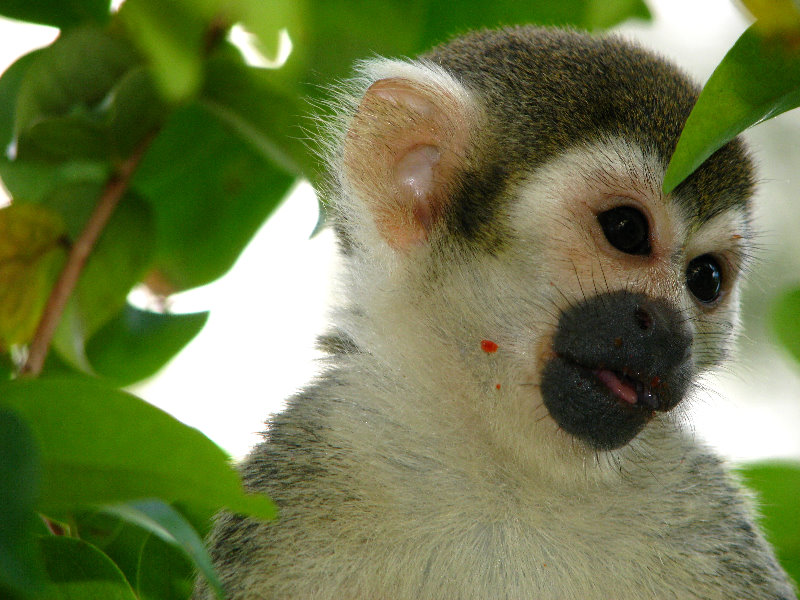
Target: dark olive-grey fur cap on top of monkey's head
(546, 90)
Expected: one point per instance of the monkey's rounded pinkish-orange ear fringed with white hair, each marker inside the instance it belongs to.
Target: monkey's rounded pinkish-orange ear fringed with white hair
(403, 152)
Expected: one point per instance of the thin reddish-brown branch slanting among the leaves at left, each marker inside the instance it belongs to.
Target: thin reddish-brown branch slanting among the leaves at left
(113, 192)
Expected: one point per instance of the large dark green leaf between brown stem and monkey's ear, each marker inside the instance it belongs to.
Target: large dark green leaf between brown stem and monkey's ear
(210, 193)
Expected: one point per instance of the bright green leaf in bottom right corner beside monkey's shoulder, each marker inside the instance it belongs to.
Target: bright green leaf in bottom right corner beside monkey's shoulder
(778, 488)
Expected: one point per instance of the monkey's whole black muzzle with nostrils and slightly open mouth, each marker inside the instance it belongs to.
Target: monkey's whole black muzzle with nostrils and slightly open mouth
(619, 357)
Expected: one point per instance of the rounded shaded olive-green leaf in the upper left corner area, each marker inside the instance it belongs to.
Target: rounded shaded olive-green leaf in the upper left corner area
(73, 76)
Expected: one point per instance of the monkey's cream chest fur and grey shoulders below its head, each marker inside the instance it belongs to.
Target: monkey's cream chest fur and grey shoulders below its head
(371, 508)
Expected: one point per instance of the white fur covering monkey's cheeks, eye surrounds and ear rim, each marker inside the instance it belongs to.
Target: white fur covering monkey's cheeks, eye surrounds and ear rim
(431, 331)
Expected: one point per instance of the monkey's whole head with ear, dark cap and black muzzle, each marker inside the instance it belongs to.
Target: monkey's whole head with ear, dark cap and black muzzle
(500, 203)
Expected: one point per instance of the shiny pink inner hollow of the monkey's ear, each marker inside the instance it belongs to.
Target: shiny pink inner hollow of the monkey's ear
(415, 178)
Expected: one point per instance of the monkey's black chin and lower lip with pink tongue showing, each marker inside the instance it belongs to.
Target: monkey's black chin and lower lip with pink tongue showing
(603, 408)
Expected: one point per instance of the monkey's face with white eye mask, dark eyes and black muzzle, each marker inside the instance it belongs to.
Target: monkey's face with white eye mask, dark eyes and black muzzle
(641, 295)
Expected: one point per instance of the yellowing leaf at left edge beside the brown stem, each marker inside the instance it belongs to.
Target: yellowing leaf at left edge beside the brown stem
(31, 254)
